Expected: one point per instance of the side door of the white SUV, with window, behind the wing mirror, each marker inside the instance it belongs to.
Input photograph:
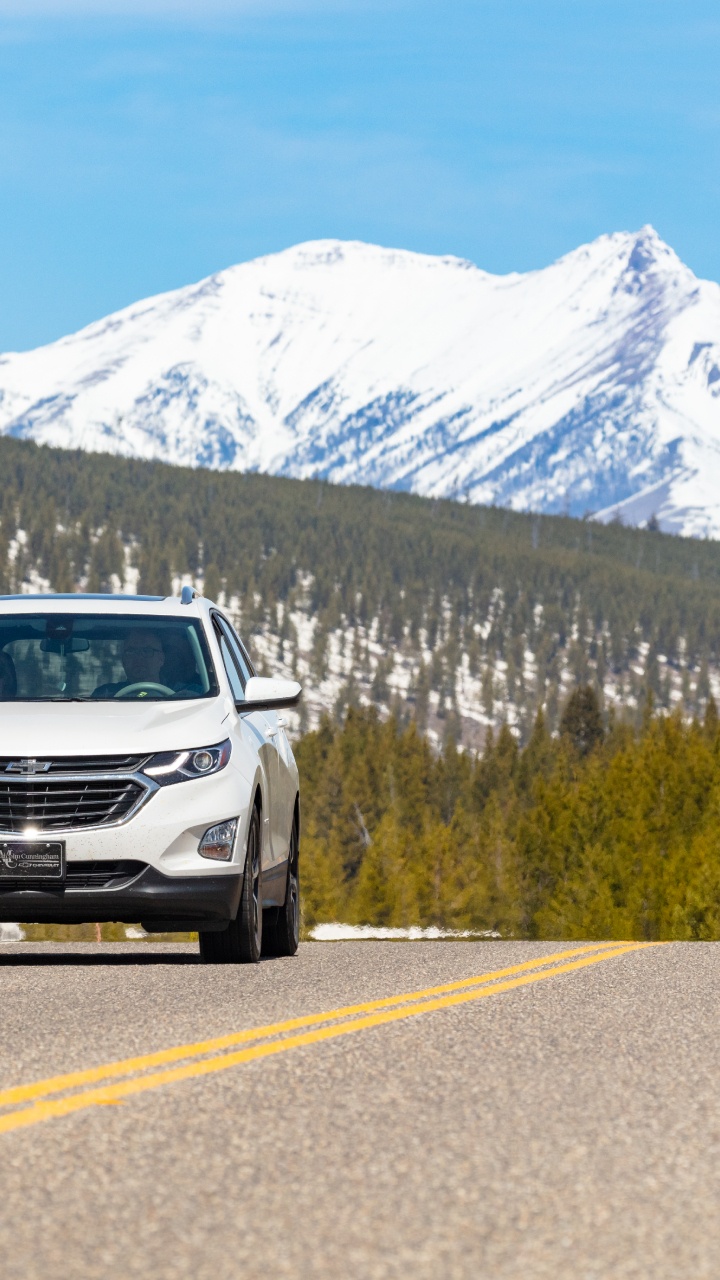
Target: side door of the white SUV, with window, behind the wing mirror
(265, 726)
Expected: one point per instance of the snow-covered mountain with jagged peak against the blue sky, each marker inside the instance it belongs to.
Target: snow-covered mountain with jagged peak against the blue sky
(593, 386)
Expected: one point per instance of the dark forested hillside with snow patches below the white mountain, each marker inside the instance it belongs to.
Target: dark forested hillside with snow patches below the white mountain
(457, 616)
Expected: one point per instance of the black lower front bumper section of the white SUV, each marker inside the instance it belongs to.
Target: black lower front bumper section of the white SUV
(161, 903)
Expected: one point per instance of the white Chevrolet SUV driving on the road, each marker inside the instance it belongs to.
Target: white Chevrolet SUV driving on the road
(145, 774)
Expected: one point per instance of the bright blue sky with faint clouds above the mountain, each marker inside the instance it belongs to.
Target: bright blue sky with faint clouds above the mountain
(145, 144)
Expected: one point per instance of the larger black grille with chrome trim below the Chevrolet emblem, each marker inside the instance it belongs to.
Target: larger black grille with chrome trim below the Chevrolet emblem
(58, 804)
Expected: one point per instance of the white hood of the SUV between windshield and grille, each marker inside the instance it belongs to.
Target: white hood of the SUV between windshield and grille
(45, 730)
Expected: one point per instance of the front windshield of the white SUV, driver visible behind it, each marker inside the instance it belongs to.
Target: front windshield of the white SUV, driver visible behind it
(53, 657)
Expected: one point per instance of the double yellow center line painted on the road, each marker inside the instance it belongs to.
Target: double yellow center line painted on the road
(48, 1100)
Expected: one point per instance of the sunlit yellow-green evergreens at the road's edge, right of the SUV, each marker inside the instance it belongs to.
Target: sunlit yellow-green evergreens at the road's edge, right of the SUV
(604, 831)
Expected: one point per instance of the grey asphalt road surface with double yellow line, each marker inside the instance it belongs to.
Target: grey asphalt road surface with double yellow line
(559, 1122)
